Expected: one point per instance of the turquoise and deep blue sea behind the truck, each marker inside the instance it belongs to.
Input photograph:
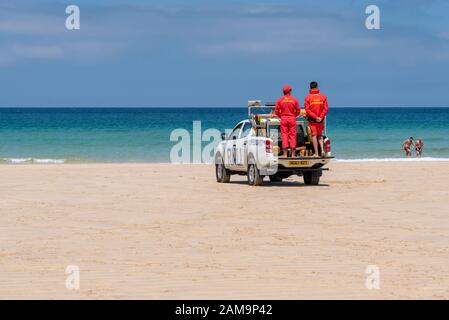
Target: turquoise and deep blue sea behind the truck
(59, 135)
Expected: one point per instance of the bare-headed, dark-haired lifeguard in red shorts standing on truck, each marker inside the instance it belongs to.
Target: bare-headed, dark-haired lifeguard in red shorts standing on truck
(316, 108)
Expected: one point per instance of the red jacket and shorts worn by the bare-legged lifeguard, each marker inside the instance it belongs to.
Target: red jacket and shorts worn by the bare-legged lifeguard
(316, 107)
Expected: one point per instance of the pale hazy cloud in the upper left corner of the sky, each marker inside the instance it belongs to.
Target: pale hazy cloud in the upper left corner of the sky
(31, 33)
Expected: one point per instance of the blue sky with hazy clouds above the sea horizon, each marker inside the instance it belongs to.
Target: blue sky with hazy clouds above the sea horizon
(222, 53)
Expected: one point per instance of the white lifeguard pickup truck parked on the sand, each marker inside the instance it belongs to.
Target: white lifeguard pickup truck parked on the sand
(252, 149)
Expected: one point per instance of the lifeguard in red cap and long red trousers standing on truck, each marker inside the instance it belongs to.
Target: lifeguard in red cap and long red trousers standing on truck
(287, 109)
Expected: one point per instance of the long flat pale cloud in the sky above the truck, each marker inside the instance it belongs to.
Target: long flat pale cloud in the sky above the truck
(290, 35)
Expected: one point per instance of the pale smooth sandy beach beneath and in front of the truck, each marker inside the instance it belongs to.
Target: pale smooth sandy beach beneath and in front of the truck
(160, 231)
